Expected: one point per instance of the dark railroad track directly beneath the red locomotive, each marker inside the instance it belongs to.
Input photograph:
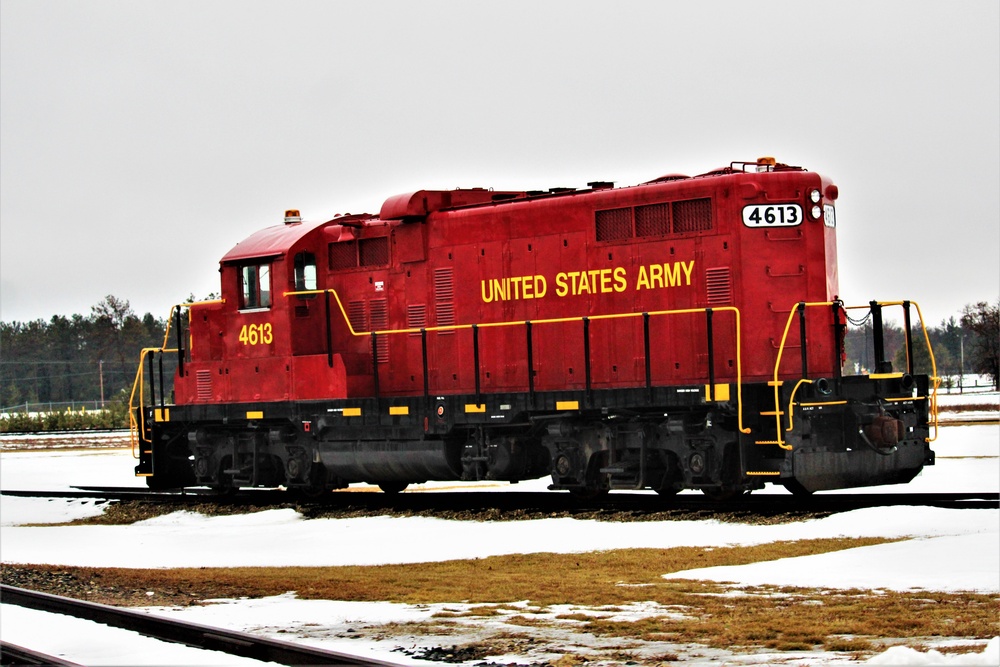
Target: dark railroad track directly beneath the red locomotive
(526, 502)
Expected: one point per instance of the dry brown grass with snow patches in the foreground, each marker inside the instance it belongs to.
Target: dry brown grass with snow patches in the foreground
(710, 614)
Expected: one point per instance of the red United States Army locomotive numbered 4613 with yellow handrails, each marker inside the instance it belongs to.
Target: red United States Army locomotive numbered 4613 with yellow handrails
(682, 333)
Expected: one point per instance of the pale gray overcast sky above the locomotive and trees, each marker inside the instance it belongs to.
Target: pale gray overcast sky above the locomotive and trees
(139, 141)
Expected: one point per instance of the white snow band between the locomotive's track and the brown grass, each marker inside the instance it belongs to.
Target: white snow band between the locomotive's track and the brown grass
(185, 539)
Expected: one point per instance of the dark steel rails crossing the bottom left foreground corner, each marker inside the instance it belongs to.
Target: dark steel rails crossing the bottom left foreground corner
(192, 634)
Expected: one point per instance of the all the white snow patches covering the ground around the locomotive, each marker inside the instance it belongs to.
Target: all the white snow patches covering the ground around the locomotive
(947, 550)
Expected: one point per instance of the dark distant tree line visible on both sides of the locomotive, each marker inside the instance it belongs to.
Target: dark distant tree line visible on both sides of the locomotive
(84, 359)
